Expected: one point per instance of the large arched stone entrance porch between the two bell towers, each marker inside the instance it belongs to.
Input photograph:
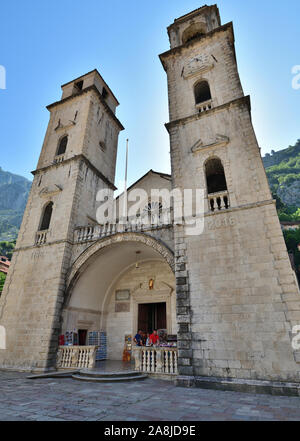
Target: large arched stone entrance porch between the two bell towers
(118, 284)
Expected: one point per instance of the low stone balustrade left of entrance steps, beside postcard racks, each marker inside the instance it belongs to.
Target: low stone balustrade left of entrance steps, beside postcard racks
(75, 357)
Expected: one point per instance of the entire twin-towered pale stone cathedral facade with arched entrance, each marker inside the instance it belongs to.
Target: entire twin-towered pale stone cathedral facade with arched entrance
(229, 293)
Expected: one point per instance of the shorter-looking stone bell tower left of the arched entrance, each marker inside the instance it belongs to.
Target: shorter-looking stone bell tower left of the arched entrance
(78, 159)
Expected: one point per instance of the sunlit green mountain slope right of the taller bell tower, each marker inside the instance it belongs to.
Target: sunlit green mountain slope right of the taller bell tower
(283, 171)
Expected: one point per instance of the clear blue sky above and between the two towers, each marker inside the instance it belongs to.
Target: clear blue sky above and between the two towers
(47, 43)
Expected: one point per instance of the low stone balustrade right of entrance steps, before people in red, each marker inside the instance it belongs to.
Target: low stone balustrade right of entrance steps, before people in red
(152, 360)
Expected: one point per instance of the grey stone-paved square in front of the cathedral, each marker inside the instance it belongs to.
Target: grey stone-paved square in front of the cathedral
(149, 400)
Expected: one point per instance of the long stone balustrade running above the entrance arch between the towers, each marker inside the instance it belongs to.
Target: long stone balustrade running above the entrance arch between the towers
(95, 232)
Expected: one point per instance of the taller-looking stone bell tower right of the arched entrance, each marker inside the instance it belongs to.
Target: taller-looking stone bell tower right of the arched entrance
(237, 296)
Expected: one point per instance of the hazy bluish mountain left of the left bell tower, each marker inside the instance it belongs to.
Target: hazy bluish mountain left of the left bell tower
(14, 190)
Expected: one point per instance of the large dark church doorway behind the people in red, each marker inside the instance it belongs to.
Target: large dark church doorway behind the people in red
(152, 316)
